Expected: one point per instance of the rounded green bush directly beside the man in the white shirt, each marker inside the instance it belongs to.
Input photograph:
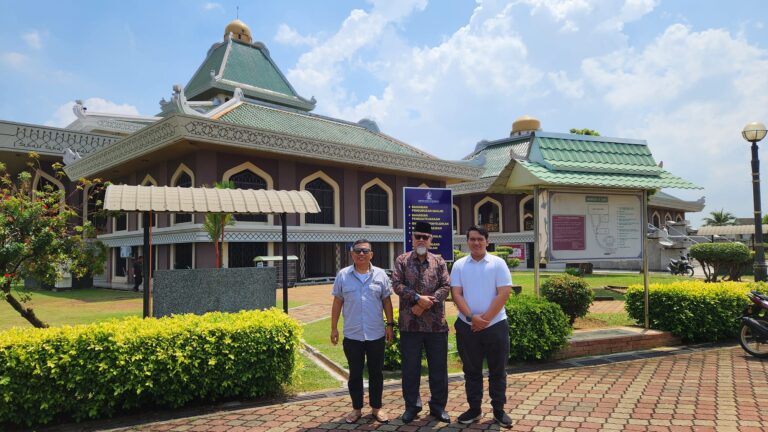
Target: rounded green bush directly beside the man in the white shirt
(537, 328)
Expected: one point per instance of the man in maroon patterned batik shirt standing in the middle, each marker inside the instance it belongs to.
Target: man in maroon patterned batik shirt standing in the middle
(422, 281)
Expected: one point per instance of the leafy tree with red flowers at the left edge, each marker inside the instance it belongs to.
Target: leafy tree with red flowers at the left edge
(39, 239)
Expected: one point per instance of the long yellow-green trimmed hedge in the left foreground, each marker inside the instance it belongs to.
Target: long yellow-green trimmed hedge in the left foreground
(96, 370)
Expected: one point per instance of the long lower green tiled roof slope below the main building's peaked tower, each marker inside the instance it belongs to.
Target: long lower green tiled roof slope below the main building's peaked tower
(316, 128)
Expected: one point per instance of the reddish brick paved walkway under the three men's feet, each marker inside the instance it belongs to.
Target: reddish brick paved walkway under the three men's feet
(717, 389)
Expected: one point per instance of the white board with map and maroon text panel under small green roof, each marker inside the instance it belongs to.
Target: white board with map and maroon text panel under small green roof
(595, 226)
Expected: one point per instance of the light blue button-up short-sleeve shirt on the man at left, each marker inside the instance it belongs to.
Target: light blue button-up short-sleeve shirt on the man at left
(363, 308)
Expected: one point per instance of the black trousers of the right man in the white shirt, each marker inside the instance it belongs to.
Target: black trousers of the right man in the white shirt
(491, 344)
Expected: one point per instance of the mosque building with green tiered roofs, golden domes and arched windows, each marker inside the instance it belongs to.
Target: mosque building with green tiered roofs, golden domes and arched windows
(239, 119)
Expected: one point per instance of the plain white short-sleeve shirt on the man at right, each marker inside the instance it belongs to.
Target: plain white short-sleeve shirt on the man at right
(479, 280)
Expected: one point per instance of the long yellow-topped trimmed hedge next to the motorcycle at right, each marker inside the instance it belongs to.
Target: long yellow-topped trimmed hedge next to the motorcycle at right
(695, 311)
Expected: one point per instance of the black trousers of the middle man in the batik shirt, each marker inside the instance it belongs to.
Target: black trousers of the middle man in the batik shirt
(436, 346)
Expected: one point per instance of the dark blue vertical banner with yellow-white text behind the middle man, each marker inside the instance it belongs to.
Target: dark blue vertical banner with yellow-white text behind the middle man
(433, 205)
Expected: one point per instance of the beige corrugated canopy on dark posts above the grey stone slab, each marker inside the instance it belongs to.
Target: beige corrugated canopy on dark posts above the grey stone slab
(164, 199)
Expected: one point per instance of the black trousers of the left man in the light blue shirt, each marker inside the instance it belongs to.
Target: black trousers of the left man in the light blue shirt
(356, 353)
